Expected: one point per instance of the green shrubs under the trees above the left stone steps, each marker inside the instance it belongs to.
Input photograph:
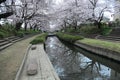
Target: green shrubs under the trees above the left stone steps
(8, 30)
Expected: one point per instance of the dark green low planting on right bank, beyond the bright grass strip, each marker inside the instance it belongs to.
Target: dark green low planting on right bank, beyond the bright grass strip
(69, 37)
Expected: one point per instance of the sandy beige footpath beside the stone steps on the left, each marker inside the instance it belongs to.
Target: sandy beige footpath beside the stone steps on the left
(11, 58)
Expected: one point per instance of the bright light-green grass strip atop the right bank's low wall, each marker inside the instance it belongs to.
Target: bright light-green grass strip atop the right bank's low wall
(103, 44)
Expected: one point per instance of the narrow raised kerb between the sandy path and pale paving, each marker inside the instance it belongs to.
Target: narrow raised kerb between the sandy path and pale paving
(22, 64)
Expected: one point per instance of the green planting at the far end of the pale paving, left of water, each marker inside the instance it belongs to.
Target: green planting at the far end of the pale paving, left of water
(39, 39)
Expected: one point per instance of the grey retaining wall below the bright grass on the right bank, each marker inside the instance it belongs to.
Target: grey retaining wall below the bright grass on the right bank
(99, 51)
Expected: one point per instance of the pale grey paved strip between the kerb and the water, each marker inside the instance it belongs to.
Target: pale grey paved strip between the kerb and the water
(45, 68)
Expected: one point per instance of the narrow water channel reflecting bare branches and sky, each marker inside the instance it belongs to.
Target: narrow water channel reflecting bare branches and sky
(73, 63)
